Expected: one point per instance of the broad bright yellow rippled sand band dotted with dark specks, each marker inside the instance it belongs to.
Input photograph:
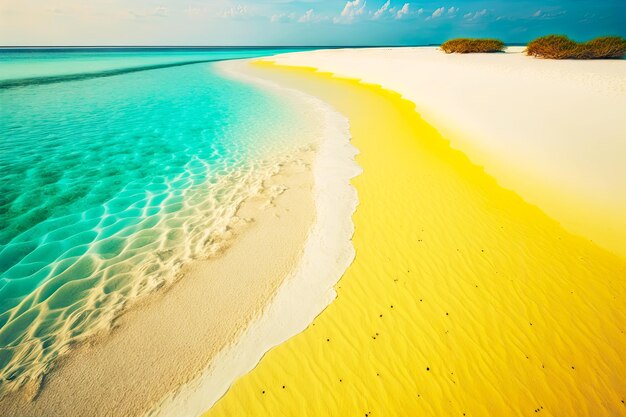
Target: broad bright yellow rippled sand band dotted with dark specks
(462, 300)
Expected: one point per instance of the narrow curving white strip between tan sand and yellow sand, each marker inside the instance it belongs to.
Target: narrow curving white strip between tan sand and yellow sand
(304, 295)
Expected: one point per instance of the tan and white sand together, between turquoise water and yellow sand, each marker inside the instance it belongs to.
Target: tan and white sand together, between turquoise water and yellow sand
(287, 236)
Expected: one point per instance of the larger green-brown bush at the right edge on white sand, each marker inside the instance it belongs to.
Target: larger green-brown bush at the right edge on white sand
(562, 47)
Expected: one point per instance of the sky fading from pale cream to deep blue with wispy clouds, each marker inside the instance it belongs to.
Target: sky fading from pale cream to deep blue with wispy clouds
(300, 22)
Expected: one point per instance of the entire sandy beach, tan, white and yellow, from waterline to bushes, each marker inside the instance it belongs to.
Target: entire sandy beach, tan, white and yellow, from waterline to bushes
(434, 253)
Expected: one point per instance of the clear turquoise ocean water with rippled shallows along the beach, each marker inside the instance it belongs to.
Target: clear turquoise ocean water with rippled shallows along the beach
(116, 168)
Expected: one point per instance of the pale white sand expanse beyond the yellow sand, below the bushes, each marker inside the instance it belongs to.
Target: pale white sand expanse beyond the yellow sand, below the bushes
(553, 131)
